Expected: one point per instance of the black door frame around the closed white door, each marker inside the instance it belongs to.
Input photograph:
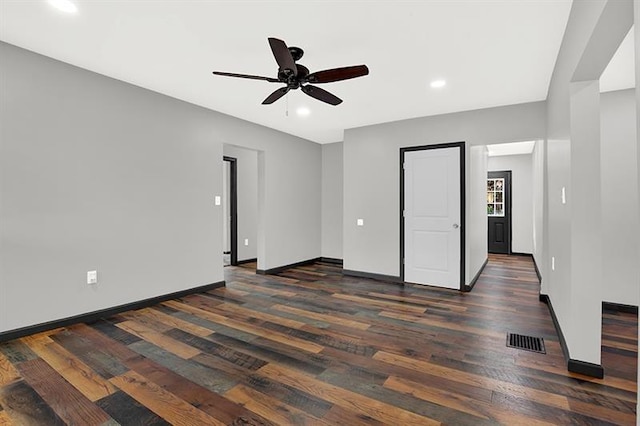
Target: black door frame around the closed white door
(461, 147)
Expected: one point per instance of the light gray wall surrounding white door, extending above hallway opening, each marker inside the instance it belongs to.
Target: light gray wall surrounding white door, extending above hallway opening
(372, 177)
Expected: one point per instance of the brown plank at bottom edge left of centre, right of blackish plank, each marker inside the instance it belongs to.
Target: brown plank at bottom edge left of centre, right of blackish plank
(166, 405)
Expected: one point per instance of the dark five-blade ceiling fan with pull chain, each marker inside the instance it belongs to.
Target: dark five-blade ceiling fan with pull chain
(296, 76)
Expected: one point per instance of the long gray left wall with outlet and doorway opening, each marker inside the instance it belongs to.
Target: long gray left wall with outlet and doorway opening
(99, 174)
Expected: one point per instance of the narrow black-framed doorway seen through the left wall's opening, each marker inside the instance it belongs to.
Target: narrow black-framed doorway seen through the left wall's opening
(230, 211)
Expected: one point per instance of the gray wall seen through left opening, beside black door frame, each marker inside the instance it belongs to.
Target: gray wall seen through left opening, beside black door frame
(247, 169)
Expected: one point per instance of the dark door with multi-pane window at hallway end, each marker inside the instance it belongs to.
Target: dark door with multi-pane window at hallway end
(499, 211)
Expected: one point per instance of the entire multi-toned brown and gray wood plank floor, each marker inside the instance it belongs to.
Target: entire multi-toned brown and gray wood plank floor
(311, 346)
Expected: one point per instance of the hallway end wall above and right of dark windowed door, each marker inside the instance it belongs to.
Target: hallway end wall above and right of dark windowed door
(521, 167)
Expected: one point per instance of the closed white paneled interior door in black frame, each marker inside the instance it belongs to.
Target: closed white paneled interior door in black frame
(432, 217)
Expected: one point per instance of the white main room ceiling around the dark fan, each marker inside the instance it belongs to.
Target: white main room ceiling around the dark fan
(490, 52)
